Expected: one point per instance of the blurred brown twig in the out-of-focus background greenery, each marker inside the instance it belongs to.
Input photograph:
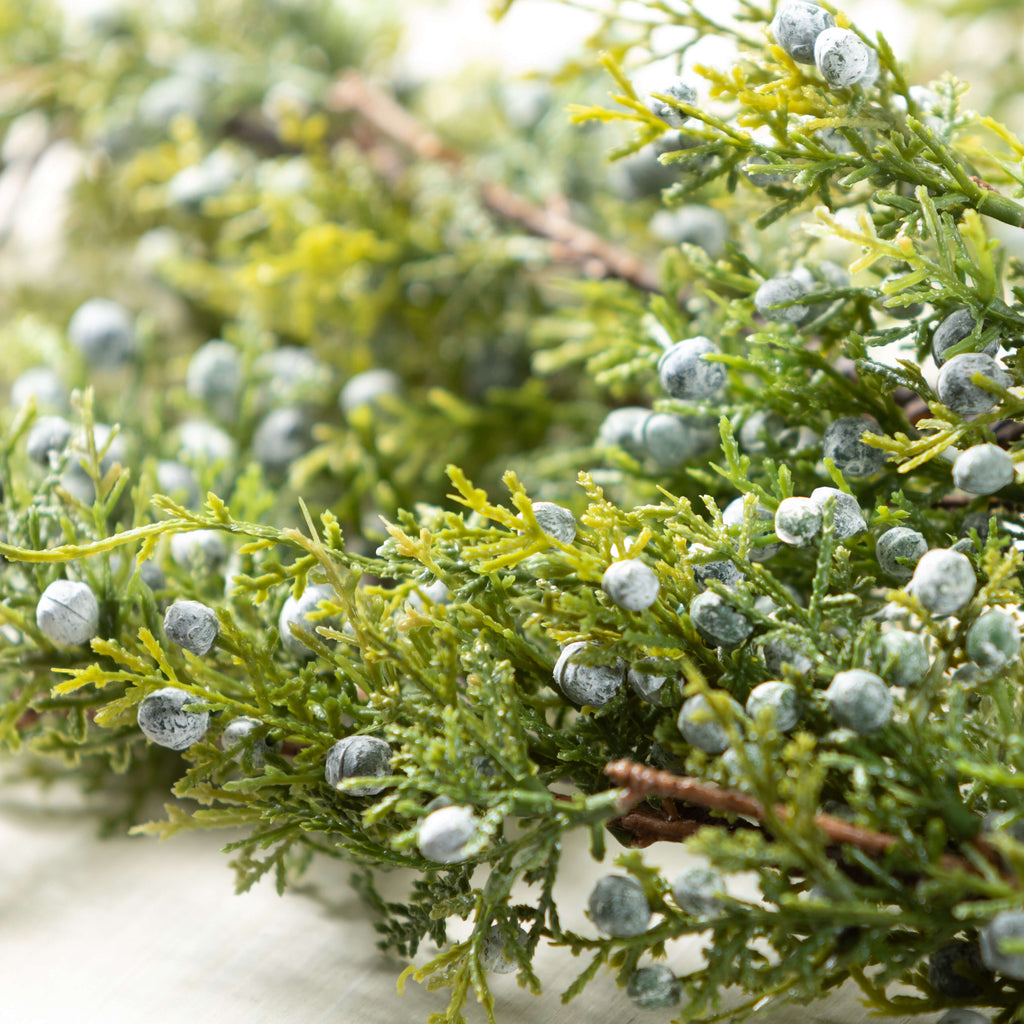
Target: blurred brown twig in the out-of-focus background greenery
(571, 242)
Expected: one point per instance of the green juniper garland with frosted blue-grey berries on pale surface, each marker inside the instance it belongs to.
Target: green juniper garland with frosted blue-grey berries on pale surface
(680, 596)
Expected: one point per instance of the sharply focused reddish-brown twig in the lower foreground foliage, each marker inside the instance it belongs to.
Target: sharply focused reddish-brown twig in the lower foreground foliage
(642, 782)
